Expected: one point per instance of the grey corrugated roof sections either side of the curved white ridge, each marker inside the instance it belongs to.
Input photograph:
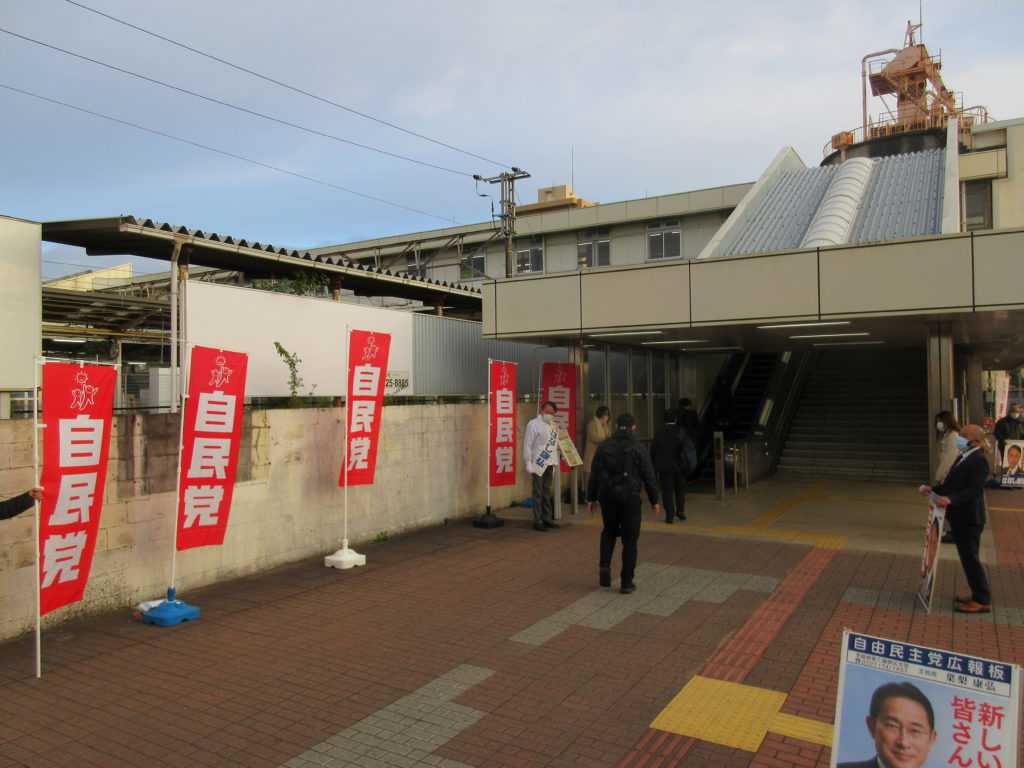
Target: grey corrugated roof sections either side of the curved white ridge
(903, 199)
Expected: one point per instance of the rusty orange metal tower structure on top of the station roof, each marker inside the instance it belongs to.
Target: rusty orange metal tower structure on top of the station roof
(915, 99)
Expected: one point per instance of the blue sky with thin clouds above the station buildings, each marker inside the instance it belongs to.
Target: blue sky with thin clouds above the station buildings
(622, 101)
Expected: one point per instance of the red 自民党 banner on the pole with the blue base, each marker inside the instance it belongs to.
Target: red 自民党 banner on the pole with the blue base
(210, 441)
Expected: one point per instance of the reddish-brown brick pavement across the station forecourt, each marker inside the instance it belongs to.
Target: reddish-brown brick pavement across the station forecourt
(282, 662)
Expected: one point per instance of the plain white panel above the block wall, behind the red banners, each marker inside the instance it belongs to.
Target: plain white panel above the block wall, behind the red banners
(249, 321)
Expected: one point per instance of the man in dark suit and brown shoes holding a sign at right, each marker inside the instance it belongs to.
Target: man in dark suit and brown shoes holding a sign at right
(963, 496)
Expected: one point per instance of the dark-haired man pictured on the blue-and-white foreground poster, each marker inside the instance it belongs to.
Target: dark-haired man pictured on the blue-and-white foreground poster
(902, 721)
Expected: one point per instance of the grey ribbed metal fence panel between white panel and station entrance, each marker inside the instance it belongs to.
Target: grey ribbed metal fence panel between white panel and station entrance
(450, 357)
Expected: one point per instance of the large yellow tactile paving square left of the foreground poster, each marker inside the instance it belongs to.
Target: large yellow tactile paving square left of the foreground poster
(722, 713)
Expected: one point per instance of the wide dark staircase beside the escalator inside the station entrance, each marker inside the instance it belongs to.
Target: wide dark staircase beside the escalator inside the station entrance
(864, 416)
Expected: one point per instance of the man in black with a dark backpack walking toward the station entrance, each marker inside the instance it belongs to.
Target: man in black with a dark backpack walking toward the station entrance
(621, 468)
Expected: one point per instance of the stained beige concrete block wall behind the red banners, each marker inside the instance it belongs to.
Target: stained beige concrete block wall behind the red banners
(432, 468)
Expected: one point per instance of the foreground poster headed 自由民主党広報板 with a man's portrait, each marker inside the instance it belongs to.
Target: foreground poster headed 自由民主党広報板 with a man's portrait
(923, 708)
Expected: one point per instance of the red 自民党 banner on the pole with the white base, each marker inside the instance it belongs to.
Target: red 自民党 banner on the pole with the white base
(365, 401)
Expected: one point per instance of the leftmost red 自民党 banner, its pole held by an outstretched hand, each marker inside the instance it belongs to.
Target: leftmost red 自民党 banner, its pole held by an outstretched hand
(78, 409)
